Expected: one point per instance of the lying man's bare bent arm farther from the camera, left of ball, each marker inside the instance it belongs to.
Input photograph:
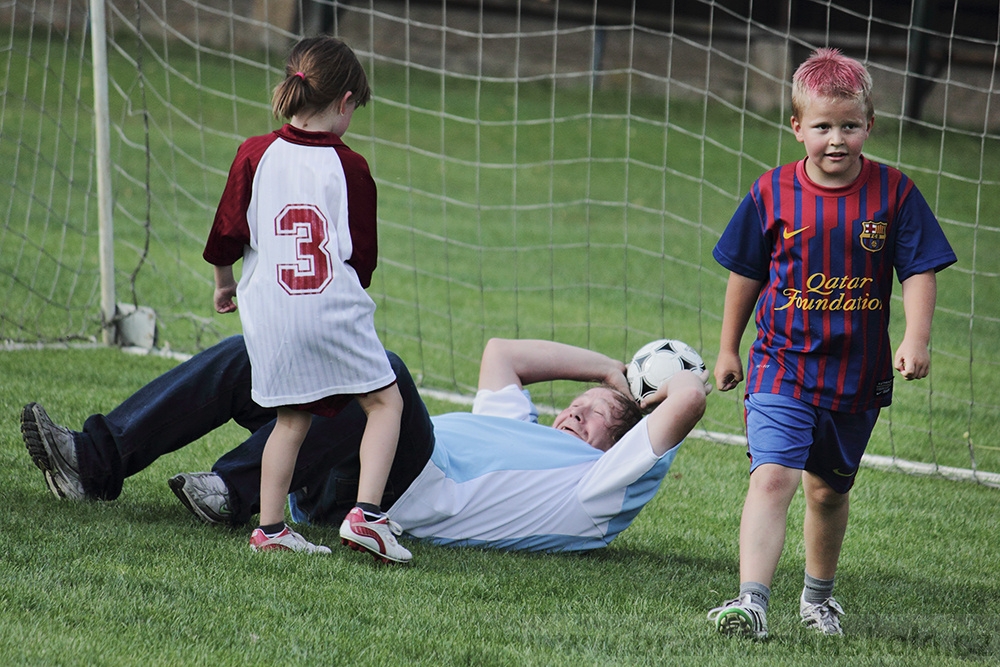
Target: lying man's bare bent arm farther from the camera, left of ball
(523, 362)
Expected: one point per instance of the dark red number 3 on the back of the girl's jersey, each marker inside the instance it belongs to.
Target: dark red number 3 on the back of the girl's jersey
(312, 270)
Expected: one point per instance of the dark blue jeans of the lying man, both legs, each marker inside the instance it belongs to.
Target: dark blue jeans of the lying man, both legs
(213, 387)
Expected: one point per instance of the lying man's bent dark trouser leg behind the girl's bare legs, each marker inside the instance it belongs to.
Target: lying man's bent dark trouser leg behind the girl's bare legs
(326, 472)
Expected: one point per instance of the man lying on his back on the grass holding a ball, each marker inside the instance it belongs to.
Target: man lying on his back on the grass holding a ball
(492, 478)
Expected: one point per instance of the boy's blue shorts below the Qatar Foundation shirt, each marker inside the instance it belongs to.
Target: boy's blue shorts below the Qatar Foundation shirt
(798, 435)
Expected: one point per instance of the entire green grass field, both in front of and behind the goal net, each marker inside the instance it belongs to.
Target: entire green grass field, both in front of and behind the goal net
(595, 230)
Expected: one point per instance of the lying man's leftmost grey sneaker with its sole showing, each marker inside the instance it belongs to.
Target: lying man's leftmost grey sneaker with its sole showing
(53, 450)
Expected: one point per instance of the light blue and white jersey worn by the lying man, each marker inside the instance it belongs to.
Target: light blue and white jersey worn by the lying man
(498, 479)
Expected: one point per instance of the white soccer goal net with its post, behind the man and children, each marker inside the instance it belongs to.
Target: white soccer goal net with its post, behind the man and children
(546, 168)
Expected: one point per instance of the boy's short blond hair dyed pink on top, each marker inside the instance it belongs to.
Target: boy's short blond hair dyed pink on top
(829, 73)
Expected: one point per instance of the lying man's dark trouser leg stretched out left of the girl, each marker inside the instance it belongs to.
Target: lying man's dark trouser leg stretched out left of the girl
(170, 412)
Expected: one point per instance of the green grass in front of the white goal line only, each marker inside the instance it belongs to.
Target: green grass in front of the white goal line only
(141, 581)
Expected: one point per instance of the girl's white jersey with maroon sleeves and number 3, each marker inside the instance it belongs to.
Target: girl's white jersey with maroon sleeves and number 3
(299, 208)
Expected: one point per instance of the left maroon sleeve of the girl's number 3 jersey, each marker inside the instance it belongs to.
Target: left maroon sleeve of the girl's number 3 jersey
(230, 231)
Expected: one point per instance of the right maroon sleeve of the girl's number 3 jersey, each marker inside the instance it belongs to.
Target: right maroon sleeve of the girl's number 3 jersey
(361, 214)
